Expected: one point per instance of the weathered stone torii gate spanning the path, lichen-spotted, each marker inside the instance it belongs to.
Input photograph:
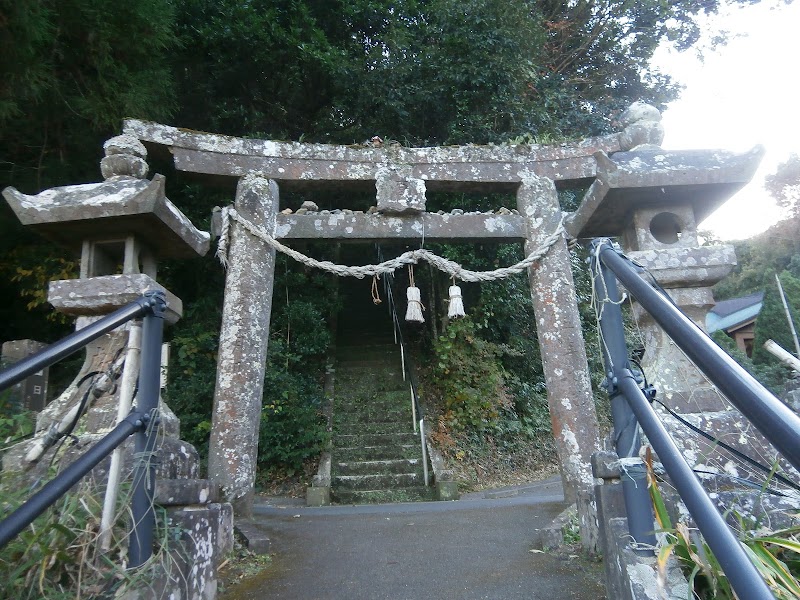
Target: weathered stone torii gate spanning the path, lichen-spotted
(625, 183)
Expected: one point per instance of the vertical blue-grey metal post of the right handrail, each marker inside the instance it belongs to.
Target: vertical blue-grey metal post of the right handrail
(627, 439)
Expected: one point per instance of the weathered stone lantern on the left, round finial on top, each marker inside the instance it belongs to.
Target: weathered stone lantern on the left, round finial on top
(121, 227)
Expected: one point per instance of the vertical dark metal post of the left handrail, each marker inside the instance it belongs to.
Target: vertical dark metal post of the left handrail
(142, 512)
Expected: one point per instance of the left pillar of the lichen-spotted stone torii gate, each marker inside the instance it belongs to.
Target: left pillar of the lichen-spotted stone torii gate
(233, 448)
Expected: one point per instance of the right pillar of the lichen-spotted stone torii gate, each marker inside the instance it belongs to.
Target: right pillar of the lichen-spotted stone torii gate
(566, 371)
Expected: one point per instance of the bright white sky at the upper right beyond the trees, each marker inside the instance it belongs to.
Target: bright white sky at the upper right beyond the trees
(744, 93)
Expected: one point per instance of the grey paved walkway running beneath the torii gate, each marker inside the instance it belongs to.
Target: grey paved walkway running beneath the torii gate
(476, 548)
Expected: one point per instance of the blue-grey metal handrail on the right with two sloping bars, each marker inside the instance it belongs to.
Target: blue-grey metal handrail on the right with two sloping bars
(778, 424)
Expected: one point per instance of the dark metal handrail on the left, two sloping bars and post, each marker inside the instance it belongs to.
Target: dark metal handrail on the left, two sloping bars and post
(142, 422)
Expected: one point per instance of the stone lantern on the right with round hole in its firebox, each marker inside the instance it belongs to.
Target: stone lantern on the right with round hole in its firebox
(652, 200)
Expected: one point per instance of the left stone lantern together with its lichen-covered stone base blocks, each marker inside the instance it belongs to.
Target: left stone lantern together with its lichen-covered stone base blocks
(122, 227)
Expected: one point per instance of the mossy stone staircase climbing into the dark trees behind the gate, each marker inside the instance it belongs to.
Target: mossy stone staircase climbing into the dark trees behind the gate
(376, 456)
